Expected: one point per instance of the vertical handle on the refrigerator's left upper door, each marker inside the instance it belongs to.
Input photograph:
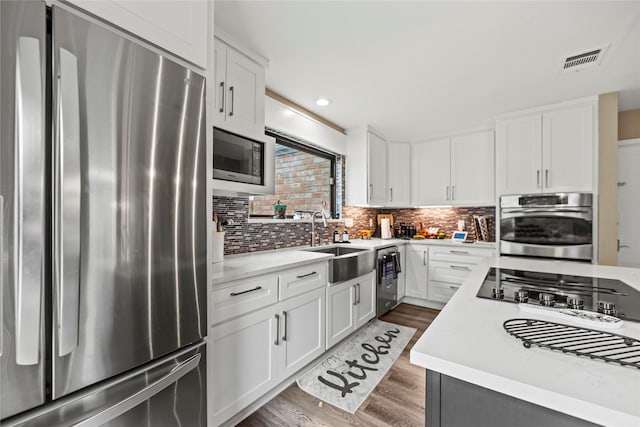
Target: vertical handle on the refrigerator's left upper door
(28, 208)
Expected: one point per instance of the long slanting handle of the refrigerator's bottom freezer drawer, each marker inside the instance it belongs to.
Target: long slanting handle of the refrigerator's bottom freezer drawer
(143, 395)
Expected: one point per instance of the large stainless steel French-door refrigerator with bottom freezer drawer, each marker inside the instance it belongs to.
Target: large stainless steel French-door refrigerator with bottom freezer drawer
(103, 243)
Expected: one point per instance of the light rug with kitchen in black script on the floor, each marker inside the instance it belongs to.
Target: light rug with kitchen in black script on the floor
(347, 376)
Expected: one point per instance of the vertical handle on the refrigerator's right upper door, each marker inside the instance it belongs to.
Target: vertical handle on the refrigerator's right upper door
(67, 204)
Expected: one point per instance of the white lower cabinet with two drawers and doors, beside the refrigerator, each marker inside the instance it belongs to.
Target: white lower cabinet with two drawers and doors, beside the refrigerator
(257, 349)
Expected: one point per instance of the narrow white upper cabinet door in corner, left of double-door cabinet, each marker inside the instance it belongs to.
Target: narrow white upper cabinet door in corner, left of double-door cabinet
(399, 174)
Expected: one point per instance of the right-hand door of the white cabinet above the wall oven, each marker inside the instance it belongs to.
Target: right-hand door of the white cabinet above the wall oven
(567, 149)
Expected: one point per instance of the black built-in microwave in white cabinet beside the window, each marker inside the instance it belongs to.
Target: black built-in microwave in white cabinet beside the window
(237, 158)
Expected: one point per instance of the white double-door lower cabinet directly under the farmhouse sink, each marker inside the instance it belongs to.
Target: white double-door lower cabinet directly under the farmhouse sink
(350, 305)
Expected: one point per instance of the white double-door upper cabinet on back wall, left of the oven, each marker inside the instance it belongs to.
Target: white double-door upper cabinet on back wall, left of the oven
(456, 171)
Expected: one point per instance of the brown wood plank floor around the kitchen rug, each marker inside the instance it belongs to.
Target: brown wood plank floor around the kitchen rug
(398, 400)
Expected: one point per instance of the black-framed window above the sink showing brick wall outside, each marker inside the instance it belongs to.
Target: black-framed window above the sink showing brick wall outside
(305, 177)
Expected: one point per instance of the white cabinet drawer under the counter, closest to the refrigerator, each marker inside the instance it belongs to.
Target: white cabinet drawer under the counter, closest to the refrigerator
(244, 296)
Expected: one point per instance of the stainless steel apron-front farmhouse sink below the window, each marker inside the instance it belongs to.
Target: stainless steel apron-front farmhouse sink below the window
(347, 263)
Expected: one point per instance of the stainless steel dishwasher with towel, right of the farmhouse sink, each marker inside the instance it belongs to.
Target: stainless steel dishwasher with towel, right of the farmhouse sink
(387, 269)
